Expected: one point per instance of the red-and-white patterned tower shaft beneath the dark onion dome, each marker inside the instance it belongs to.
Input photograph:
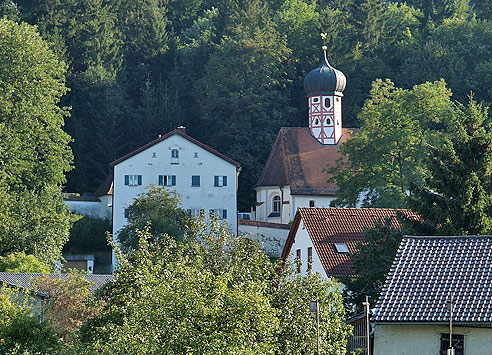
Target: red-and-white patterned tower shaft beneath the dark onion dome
(321, 120)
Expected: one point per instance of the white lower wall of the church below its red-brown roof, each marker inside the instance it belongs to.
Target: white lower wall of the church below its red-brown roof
(288, 203)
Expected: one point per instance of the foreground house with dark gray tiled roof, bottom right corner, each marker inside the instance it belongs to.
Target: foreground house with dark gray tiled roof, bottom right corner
(412, 317)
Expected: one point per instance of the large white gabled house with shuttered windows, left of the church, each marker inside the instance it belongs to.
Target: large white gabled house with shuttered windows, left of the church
(205, 179)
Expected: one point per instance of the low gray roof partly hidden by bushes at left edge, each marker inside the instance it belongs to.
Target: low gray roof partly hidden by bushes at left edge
(25, 280)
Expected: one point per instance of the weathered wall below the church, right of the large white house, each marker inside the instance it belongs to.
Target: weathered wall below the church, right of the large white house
(272, 239)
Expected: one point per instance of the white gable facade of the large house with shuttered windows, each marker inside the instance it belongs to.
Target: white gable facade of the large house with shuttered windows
(193, 160)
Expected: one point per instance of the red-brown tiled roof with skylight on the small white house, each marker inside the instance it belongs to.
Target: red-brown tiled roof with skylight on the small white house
(327, 226)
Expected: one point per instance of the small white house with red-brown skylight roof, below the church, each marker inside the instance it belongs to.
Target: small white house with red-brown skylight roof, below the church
(321, 239)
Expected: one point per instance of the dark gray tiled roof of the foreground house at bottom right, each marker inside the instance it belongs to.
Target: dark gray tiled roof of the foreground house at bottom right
(427, 269)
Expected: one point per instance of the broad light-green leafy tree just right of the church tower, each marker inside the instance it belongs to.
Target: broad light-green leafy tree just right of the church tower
(385, 156)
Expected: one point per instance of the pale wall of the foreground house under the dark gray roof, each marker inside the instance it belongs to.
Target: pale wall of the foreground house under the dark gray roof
(426, 339)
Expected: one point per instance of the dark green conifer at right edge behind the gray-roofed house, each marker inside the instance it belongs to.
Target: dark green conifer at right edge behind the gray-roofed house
(455, 199)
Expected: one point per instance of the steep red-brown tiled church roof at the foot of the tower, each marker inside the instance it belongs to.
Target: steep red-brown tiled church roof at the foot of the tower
(297, 159)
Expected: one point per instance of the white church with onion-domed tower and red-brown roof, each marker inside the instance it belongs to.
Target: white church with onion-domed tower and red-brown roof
(295, 173)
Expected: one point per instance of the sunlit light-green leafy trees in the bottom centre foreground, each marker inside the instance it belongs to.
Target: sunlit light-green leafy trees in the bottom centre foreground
(210, 294)
